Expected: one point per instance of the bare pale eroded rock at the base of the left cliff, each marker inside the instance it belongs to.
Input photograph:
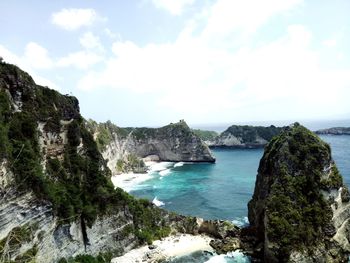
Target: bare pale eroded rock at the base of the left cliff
(27, 224)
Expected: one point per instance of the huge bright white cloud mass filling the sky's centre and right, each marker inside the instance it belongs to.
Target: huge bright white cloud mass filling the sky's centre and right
(196, 79)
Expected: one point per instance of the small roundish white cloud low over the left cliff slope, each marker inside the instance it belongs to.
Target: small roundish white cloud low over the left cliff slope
(37, 56)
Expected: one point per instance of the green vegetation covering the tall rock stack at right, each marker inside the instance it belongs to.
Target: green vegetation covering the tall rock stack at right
(297, 212)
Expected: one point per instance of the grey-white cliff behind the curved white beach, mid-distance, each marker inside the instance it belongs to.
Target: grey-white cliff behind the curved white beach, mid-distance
(123, 148)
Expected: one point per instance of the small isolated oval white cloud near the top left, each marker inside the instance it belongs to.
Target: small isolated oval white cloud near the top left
(73, 19)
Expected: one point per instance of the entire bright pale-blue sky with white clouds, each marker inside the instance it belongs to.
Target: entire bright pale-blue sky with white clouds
(152, 62)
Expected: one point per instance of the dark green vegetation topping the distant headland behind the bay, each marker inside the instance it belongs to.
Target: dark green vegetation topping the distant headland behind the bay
(250, 133)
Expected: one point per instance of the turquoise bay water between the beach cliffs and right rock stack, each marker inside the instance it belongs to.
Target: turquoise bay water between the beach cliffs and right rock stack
(211, 191)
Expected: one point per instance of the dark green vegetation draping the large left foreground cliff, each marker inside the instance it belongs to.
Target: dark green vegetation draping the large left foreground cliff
(78, 185)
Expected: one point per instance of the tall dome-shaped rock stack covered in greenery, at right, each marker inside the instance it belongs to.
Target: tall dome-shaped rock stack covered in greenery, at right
(300, 207)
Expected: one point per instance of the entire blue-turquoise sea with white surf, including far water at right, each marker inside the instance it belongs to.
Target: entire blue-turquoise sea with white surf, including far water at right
(222, 190)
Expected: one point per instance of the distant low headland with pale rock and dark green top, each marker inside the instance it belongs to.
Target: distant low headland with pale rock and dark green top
(244, 136)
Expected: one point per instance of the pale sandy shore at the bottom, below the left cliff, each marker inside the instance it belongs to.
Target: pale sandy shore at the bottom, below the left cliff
(173, 246)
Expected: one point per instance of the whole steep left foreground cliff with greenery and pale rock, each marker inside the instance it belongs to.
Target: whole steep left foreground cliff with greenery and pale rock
(57, 200)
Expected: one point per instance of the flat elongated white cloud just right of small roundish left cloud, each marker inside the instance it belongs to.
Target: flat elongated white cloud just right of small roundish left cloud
(81, 60)
